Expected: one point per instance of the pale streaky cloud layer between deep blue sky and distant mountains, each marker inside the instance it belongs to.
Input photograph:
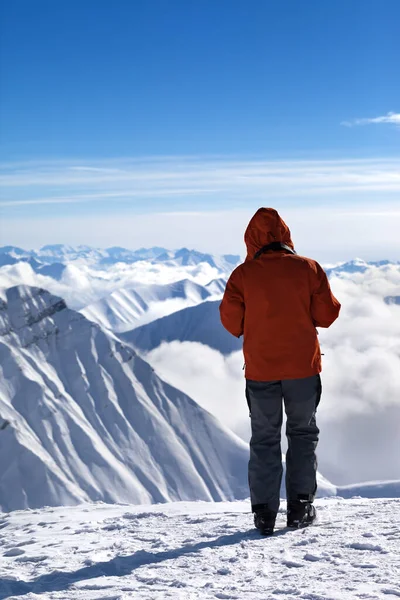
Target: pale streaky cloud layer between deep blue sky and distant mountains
(336, 208)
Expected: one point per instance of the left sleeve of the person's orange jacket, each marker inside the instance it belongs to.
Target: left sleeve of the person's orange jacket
(232, 306)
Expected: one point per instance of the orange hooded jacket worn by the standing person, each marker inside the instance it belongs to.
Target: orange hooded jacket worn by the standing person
(276, 301)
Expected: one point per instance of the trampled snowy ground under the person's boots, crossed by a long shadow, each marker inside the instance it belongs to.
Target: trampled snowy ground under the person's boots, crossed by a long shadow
(199, 550)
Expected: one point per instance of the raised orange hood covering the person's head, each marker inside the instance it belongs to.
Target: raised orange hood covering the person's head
(265, 227)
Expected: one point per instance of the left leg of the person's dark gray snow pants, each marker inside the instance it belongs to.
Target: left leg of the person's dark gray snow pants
(265, 464)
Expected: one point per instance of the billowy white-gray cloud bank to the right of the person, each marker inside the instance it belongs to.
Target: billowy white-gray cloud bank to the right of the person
(360, 412)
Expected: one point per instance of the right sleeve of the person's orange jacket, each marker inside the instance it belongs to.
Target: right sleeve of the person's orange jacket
(324, 306)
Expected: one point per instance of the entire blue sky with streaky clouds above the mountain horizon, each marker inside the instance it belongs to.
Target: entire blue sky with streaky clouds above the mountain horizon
(104, 103)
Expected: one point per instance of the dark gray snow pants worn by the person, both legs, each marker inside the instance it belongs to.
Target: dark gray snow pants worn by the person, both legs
(301, 398)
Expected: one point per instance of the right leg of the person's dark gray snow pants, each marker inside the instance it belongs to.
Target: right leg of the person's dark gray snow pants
(301, 398)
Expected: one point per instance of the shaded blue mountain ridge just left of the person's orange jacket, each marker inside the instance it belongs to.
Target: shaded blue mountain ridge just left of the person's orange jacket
(199, 323)
